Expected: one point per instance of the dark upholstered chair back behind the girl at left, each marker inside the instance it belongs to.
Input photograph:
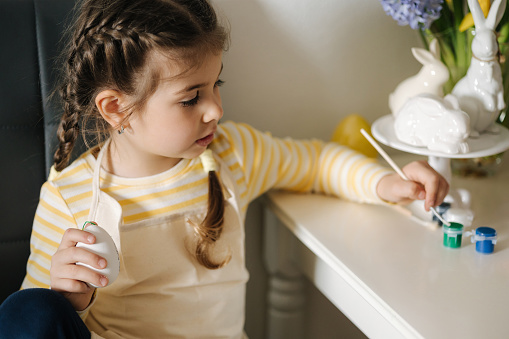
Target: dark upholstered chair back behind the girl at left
(31, 32)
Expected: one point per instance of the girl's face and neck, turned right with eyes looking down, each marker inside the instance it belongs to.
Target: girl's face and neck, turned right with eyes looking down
(179, 120)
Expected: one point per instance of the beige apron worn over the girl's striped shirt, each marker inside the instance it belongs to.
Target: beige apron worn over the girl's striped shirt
(162, 291)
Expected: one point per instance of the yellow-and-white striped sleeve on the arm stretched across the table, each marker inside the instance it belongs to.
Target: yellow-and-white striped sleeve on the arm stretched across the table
(303, 165)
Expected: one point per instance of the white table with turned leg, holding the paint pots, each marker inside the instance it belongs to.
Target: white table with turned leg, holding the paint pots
(391, 276)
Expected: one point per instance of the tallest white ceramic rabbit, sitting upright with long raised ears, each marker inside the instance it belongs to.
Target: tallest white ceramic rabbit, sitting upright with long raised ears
(481, 91)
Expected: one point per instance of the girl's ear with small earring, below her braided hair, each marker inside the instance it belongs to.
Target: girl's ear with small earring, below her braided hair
(110, 104)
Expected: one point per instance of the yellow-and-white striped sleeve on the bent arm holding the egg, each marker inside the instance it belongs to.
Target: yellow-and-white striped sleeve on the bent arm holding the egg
(52, 218)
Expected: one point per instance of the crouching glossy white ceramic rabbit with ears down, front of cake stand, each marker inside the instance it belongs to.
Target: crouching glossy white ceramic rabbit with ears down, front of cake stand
(427, 120)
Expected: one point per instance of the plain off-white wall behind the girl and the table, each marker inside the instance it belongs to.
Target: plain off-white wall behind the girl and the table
(295, 68)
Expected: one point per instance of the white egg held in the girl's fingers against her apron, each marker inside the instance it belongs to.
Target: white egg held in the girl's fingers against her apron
(104, 247)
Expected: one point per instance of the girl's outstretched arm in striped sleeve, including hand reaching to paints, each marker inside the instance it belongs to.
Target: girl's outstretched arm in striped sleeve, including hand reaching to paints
(313, 165)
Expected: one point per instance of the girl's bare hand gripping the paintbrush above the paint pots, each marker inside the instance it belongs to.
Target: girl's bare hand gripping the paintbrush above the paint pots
(424, 184)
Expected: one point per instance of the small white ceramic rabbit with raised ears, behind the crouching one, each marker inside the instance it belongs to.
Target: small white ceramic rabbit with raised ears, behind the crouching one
(430, 79)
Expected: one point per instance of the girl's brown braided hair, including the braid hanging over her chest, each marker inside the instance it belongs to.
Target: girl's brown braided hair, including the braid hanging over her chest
(110, 47)
